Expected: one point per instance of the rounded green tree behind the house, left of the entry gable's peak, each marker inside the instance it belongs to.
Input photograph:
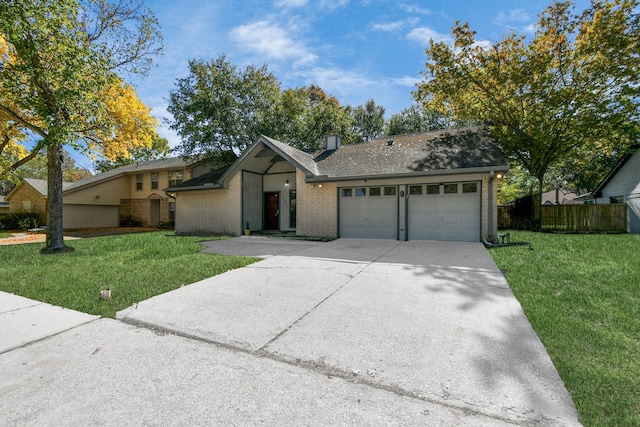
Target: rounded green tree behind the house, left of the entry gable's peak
(220, 107)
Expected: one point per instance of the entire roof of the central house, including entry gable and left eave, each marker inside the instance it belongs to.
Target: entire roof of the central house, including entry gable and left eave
(463, 150)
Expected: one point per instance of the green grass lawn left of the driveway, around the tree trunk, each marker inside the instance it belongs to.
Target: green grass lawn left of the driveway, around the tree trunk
(134, 266)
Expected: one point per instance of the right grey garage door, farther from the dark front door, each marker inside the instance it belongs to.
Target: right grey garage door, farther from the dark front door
(444, 212)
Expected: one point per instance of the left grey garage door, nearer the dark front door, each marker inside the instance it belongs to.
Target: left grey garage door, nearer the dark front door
(369, 212)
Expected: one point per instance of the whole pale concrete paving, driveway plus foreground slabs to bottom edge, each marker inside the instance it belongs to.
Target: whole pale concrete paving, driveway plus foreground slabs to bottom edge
(355, 332)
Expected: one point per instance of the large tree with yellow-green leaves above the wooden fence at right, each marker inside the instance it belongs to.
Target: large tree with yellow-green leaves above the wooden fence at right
(574, 86)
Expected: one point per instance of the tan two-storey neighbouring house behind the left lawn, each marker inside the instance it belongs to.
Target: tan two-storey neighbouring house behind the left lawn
(133, 190)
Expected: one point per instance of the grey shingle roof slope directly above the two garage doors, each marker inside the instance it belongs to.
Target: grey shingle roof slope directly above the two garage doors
(453, 149)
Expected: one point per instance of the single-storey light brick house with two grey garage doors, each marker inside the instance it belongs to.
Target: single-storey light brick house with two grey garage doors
(437, 186)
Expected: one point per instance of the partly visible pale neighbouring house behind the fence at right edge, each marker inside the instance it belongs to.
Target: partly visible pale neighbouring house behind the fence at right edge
(621, 185)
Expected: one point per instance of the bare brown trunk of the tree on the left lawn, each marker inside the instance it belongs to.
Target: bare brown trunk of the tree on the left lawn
(55, 231)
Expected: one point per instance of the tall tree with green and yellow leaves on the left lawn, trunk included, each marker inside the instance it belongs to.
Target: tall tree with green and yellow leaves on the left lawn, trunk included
(59, 83)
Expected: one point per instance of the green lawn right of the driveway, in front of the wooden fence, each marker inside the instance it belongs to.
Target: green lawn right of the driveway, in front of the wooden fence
(582, 296)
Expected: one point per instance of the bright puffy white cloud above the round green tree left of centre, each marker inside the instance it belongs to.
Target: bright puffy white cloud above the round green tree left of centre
(273, 42)
